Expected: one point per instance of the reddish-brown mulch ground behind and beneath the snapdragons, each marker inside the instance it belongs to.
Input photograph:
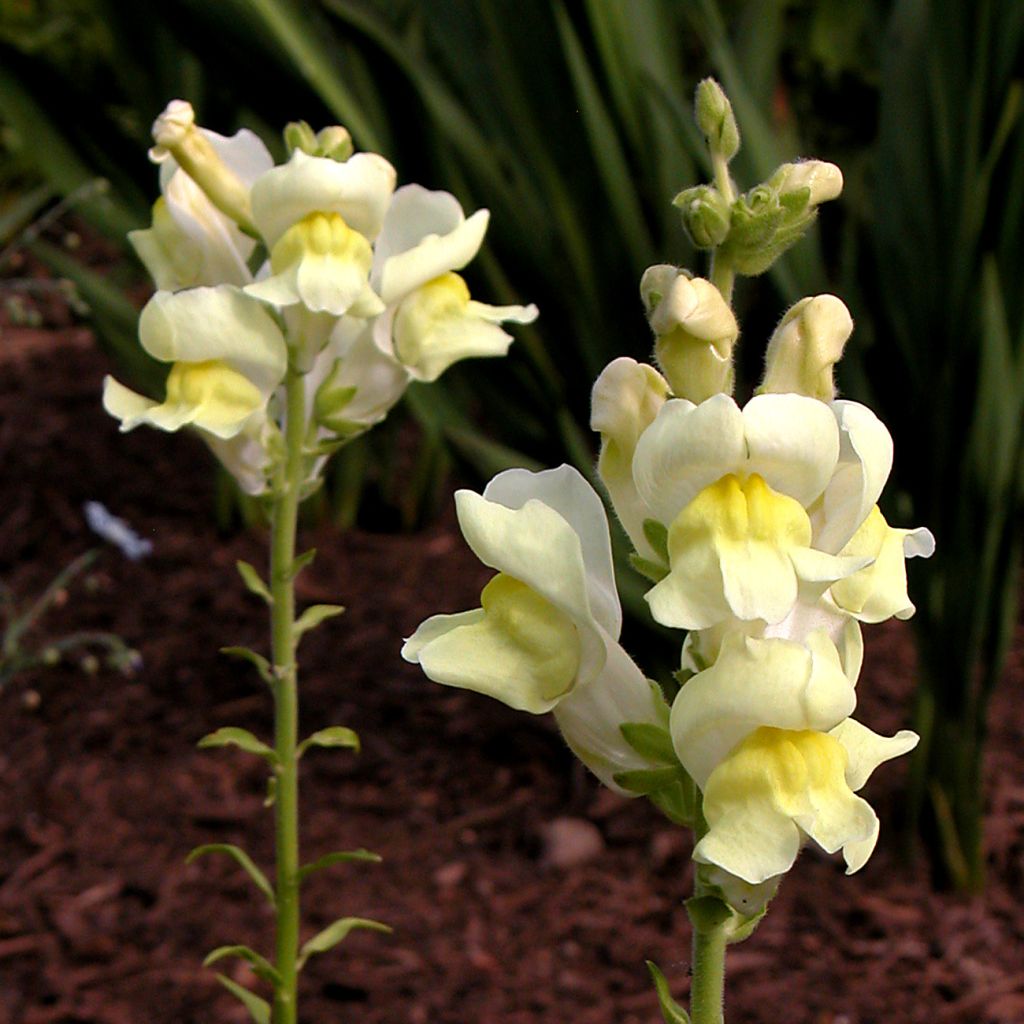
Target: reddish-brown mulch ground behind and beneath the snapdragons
(103, 793)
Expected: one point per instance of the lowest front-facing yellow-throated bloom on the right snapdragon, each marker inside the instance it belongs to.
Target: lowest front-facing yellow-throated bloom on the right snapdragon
(766, 736)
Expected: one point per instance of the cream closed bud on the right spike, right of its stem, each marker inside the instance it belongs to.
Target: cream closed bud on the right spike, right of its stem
(805, 348)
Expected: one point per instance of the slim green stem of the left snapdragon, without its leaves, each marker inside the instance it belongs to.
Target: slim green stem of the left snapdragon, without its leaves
(284, 524)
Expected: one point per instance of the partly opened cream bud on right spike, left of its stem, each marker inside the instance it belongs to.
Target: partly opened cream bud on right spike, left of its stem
(696, 332)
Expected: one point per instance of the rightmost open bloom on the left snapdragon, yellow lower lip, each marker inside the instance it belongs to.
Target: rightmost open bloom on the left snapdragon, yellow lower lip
(432, 321)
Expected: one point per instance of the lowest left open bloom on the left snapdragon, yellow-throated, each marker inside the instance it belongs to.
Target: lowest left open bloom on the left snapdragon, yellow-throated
(227, 354)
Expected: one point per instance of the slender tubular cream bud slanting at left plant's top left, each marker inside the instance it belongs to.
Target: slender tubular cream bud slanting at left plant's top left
(177, 135)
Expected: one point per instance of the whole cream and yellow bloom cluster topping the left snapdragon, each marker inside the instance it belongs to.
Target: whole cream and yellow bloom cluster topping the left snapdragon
(320, 264)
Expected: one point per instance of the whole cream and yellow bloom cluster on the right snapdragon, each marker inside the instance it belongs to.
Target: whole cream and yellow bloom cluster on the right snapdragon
(759, 529)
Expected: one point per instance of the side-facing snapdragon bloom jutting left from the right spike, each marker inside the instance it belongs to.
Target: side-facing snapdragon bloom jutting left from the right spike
(546, 636)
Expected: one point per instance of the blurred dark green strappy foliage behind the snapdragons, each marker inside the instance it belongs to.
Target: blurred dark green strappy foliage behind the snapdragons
(573, 123)
